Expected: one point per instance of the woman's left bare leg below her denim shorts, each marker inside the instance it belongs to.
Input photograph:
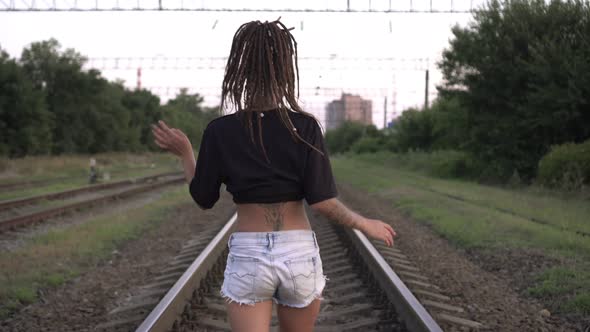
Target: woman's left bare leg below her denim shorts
(248, 318)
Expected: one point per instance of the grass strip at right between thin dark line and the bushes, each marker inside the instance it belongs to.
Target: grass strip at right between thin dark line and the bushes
(561, 211)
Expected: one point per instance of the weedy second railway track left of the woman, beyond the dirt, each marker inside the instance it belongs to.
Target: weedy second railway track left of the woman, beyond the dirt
(22, 219)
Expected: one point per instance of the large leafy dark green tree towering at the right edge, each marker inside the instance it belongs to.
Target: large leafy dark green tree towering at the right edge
(521, 70)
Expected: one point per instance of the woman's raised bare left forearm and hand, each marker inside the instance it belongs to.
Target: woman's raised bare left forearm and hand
(175, 141)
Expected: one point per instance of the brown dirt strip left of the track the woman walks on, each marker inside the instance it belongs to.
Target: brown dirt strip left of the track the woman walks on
(83, 303)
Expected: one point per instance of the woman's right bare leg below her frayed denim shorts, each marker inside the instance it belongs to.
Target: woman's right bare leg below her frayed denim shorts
(298, 319)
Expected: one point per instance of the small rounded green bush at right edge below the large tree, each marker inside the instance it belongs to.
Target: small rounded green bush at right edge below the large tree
(566, 166)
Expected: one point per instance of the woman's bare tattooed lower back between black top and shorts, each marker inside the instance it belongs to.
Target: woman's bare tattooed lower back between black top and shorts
(272, 217)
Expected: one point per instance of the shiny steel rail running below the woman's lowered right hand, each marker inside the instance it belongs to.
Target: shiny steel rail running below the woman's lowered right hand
(414, 315)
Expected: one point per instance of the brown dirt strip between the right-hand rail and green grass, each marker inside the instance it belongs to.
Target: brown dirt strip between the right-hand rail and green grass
(489, 298)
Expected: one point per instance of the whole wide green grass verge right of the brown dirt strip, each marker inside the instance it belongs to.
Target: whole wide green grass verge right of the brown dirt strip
(477, 217)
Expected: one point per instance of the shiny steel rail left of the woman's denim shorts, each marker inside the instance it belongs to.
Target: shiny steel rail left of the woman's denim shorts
(163, 316)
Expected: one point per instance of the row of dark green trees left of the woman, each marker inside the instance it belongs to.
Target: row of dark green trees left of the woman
(49, 104)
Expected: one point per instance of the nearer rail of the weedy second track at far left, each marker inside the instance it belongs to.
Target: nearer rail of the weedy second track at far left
(41, 215)
